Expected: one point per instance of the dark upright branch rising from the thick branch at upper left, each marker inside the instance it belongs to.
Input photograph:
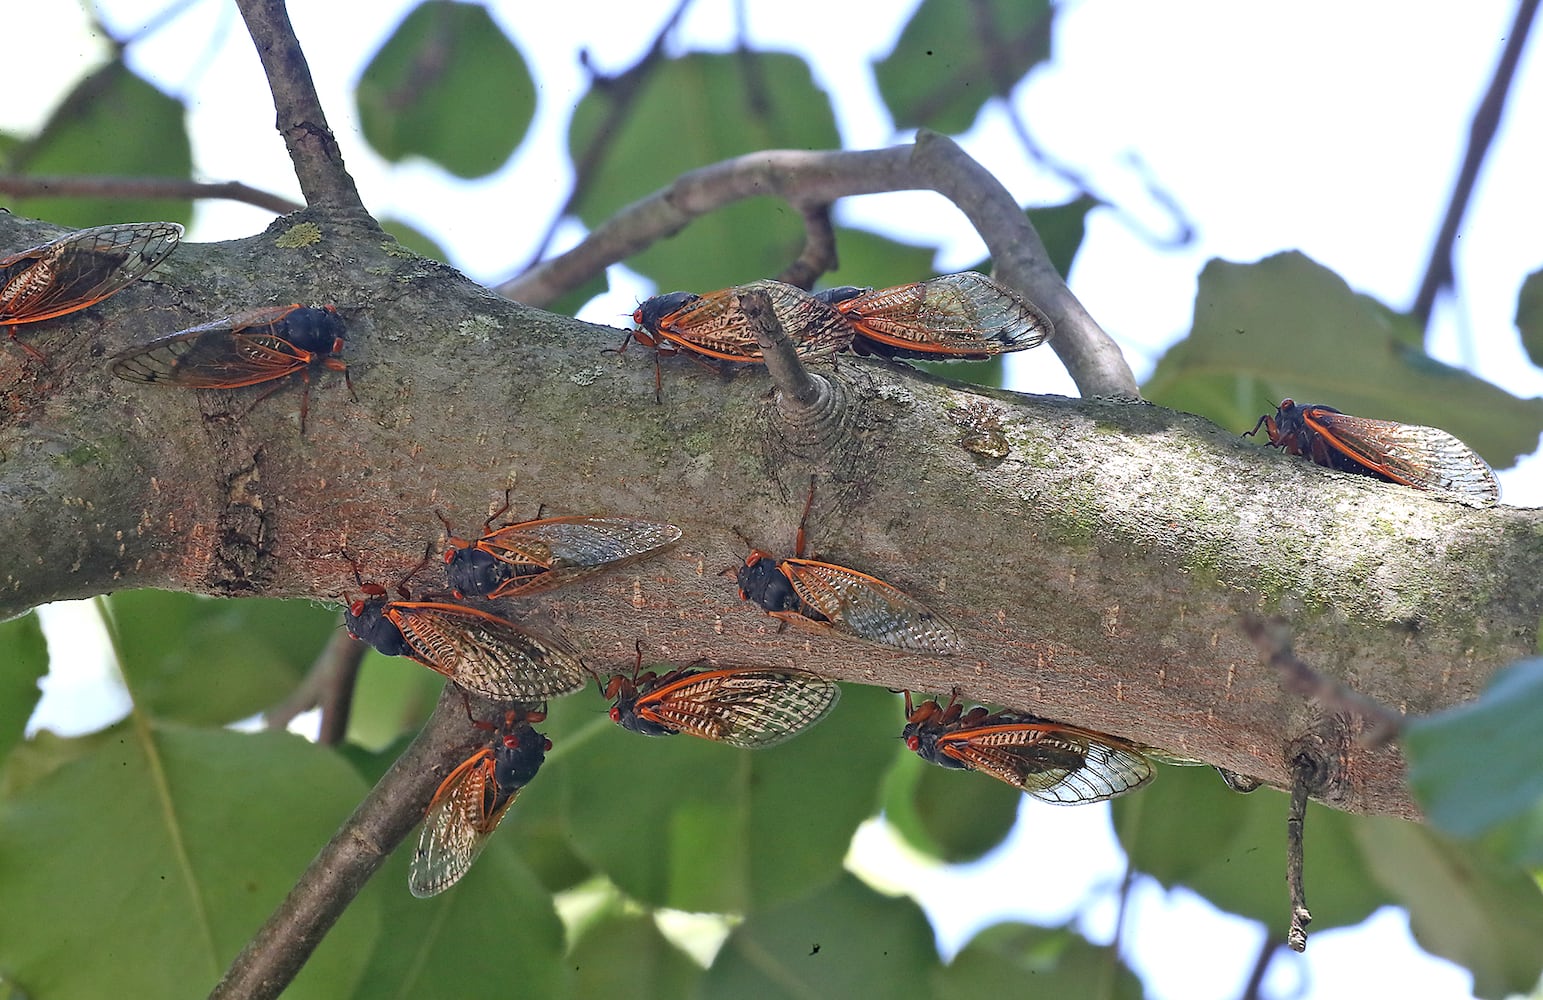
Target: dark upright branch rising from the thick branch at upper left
(312, 147)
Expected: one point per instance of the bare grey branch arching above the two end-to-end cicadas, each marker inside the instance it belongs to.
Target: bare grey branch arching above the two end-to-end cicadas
(934, 164)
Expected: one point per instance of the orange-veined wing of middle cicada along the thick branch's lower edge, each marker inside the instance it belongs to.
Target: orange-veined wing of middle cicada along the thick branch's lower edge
(741, 706)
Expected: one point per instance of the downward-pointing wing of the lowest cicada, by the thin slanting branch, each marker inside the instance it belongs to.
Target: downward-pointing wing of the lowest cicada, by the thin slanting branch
(462, 817)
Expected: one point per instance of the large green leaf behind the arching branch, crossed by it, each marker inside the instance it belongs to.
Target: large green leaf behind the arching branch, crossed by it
(692, 113)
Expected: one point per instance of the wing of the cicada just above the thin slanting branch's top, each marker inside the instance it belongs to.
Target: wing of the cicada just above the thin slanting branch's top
(487, 654)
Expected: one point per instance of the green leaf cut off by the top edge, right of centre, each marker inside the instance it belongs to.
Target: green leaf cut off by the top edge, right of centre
(951, 59)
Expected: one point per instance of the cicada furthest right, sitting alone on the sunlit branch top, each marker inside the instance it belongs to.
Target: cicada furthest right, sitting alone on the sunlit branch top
(1394, 453)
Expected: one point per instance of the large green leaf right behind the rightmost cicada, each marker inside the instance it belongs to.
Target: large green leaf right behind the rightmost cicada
(1291, 328)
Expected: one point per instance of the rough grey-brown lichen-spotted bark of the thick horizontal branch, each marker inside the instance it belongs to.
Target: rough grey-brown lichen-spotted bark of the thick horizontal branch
(1096, 572)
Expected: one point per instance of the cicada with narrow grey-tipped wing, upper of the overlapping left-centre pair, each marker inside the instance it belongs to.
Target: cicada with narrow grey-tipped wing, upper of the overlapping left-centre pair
(522, 559)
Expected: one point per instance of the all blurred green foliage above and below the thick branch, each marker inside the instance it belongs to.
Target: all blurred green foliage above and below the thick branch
(183, 836)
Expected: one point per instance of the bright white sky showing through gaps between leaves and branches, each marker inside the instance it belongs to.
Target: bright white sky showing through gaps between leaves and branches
(1322, 127)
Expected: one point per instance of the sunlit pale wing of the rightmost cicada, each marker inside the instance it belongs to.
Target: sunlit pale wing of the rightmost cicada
(1411, 454)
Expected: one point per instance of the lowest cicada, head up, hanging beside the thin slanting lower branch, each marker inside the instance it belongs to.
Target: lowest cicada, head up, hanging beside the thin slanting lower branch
(473, 800)
